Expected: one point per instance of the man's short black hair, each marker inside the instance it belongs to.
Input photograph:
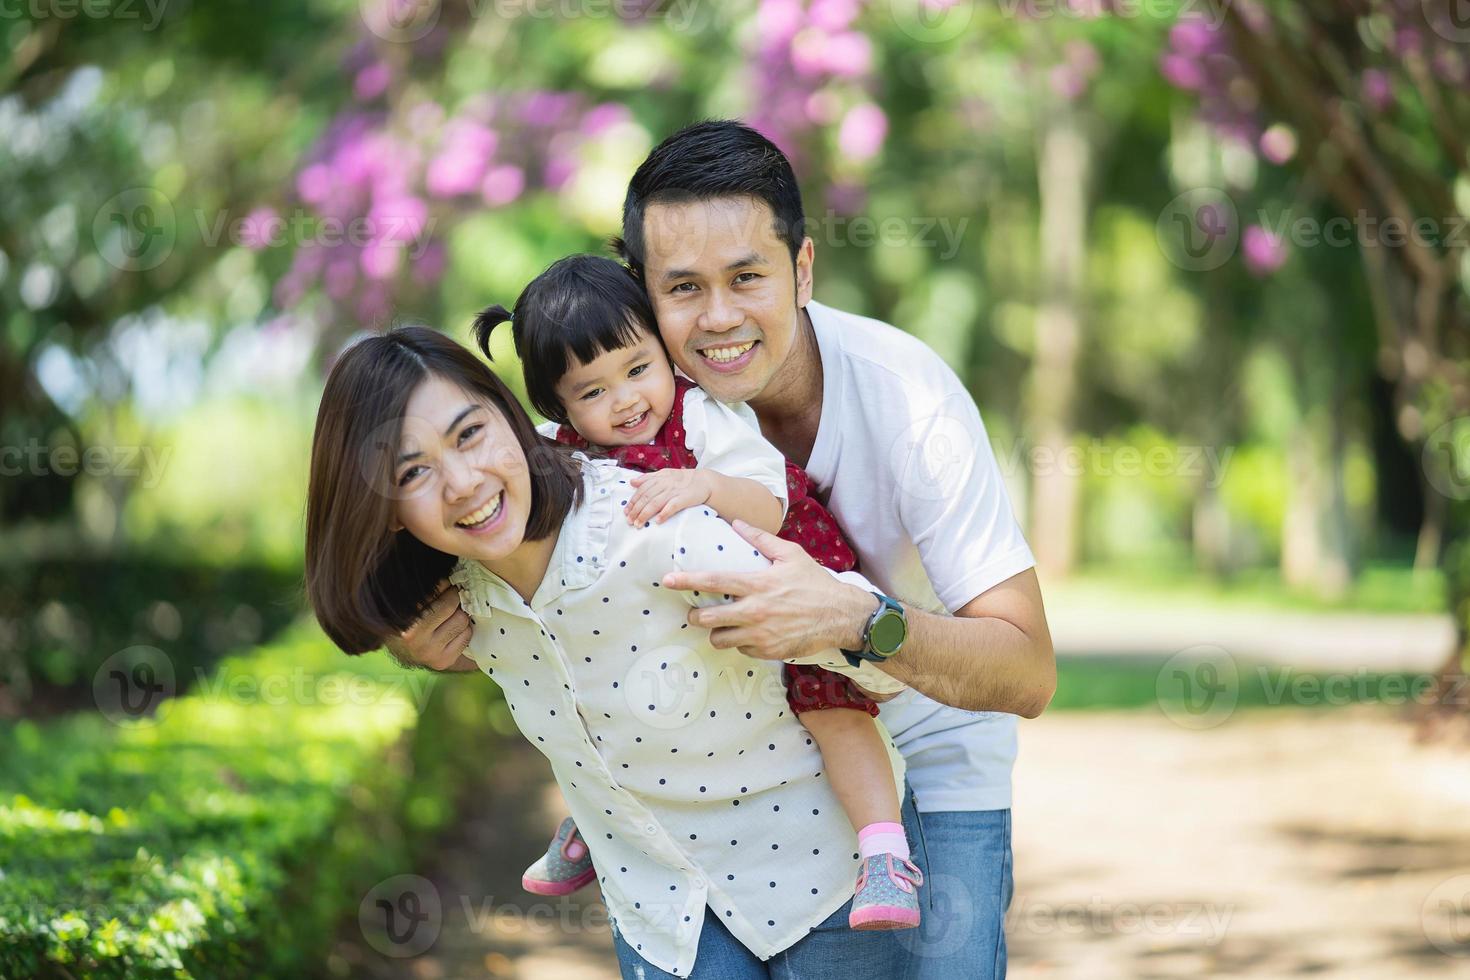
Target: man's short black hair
(720, 158)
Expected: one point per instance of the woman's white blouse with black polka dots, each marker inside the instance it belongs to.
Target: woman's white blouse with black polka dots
(687, 772)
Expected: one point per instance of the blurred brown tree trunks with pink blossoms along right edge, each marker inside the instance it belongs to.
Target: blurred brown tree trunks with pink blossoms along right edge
(1375, 96)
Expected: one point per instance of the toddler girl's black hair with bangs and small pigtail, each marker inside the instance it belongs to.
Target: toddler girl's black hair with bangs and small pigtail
(580, 308)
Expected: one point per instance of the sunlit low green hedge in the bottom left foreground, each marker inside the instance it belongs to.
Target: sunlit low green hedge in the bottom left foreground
(230, 835)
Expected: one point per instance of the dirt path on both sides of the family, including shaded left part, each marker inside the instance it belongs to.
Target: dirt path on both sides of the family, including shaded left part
(1284, 843)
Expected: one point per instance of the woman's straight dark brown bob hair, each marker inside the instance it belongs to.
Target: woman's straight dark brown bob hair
(365, 581)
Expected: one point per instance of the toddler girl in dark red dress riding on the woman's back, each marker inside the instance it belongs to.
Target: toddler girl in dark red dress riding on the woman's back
(595, 367)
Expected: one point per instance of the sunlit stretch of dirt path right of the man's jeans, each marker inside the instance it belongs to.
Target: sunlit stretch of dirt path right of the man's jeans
(1284, 843)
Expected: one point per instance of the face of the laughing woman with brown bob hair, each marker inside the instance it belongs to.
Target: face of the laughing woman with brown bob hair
(459, 475)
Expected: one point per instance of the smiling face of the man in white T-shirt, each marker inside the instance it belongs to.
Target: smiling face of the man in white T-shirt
(724, 290)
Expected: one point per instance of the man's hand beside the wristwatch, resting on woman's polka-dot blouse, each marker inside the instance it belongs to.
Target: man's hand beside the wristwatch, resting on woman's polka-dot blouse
(793, 609)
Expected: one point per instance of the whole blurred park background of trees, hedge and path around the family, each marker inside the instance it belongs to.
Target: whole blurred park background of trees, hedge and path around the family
(1203, 265)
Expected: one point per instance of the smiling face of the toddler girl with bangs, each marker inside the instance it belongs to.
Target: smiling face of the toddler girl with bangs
(620, 397)
